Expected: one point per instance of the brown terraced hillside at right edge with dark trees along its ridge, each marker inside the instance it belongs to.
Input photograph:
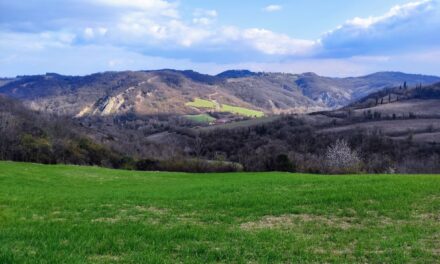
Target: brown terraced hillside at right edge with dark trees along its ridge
(401, 112)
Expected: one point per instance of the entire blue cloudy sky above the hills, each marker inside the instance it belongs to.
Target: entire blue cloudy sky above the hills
(333, 38)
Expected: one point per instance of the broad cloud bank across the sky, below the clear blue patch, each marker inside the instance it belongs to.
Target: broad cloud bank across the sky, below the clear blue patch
(40, 32)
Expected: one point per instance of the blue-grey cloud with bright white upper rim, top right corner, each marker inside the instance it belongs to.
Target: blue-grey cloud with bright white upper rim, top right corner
(405, 27)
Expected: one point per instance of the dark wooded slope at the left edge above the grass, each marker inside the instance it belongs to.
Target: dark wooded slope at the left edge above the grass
(38, 137)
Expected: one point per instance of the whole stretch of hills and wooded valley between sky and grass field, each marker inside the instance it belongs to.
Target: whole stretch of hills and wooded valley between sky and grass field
(186, 121)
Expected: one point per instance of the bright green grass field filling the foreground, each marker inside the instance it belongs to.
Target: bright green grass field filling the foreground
(68, 214)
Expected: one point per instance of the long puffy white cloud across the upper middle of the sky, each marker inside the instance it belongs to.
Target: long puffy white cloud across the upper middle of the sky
(137, 28)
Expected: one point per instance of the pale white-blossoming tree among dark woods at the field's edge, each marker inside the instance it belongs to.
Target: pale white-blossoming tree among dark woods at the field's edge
(340, 158)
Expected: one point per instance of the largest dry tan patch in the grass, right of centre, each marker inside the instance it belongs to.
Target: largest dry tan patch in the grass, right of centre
(290, 221)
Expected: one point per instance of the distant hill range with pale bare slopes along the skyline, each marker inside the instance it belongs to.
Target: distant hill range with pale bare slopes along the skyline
(170, 91)
